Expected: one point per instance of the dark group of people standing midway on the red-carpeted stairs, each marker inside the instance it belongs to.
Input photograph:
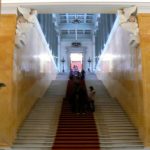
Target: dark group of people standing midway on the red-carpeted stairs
(80, 101)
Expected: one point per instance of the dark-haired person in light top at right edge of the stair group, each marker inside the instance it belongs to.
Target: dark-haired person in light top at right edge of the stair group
(91, 98)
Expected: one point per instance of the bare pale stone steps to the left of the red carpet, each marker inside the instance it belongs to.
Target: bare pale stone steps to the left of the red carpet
(39, 129)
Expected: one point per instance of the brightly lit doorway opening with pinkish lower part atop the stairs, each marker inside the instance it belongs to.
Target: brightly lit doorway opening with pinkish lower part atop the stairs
(76, 61)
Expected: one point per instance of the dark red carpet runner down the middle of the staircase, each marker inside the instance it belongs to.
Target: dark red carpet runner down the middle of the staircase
(75, 131)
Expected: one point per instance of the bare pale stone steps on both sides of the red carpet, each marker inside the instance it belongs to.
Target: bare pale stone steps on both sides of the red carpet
(114, 128)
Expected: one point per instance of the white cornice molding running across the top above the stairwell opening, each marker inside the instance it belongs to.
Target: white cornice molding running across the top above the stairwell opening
(99, 6)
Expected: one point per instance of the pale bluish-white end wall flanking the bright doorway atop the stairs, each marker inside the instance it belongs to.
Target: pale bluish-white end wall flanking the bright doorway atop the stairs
(88, 53)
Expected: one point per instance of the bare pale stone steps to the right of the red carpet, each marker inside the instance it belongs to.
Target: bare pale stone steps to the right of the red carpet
(116, 132)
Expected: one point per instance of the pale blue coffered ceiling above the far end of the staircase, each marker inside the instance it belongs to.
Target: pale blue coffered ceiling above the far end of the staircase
(76, 26)
